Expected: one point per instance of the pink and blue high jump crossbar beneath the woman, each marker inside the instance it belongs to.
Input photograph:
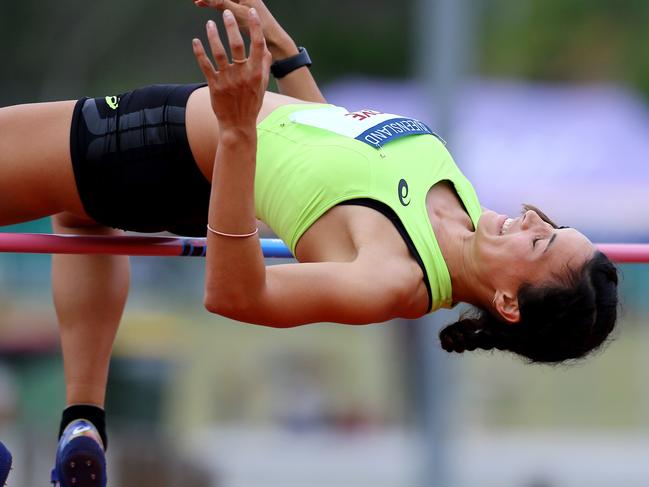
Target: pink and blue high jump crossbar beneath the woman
(40, 243)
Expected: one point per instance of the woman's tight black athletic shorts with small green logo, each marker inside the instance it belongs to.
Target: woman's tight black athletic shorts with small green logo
(132, 163)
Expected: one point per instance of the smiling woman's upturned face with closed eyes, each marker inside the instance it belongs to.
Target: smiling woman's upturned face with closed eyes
(527, 249)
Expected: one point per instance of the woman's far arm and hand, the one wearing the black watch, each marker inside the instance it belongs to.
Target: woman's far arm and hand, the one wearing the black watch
(300, 83)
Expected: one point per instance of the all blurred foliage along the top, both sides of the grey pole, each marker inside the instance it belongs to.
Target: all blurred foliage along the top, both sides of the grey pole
(72, 48)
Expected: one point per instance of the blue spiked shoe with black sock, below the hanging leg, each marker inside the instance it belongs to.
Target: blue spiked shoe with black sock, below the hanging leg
(80, 460)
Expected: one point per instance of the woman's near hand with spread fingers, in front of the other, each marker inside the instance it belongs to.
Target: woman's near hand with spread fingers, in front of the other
(236, 89)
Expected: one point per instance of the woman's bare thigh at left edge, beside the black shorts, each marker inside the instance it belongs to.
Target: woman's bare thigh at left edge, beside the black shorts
(36, 177)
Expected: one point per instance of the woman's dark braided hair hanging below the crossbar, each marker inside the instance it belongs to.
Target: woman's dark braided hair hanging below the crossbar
(557, 323)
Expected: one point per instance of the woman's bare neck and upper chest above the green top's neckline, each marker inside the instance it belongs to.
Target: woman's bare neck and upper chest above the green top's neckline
(455, 233)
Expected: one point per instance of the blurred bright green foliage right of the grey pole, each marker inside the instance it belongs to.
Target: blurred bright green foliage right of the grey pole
(571, 40)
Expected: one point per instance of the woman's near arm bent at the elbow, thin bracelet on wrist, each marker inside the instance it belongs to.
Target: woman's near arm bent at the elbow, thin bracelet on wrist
(238, 285)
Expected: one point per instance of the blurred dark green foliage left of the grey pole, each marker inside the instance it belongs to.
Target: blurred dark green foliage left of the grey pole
(72, 48)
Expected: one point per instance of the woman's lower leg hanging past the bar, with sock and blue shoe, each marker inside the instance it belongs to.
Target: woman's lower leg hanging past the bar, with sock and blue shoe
(89, 296)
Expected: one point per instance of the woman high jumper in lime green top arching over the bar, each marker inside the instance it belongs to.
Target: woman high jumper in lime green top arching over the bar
(383, 223)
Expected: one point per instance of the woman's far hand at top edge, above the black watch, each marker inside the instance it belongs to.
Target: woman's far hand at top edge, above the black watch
(279, 42)
